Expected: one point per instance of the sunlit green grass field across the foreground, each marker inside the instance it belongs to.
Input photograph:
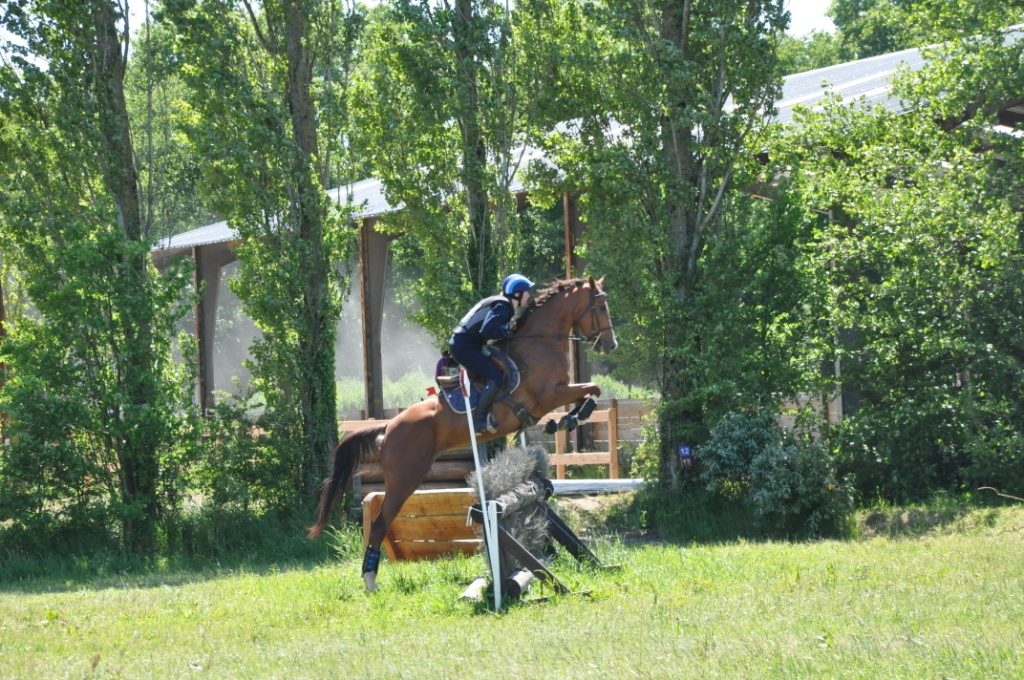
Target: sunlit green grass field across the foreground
(947, 605)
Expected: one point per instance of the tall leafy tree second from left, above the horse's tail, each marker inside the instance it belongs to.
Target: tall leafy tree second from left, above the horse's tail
(253, 88)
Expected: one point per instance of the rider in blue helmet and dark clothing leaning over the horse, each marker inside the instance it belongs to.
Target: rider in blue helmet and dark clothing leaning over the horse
(488, 321)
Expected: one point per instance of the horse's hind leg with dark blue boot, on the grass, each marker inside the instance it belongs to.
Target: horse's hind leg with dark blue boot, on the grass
(402, 477)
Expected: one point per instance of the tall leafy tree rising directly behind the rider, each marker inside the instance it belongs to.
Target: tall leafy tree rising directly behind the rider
(448, 97)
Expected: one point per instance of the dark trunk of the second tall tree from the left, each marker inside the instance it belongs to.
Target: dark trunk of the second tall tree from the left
(317, 347)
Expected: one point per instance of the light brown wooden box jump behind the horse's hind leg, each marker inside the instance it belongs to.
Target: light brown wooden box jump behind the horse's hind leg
(432, 524)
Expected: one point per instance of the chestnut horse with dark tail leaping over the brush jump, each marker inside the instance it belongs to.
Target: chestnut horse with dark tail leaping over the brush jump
(407, 445)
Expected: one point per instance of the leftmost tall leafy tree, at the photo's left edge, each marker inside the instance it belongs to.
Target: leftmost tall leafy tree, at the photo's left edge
(90, 393)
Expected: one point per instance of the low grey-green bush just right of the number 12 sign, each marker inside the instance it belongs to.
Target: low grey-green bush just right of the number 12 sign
(788, 481)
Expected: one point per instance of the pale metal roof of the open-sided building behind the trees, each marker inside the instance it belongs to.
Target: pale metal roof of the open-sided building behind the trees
(868, 79)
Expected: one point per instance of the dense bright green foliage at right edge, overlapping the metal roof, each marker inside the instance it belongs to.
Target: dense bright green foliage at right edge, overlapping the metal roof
(919, 270)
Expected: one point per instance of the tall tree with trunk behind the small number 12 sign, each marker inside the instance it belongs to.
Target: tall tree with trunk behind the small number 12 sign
(686, 90)
